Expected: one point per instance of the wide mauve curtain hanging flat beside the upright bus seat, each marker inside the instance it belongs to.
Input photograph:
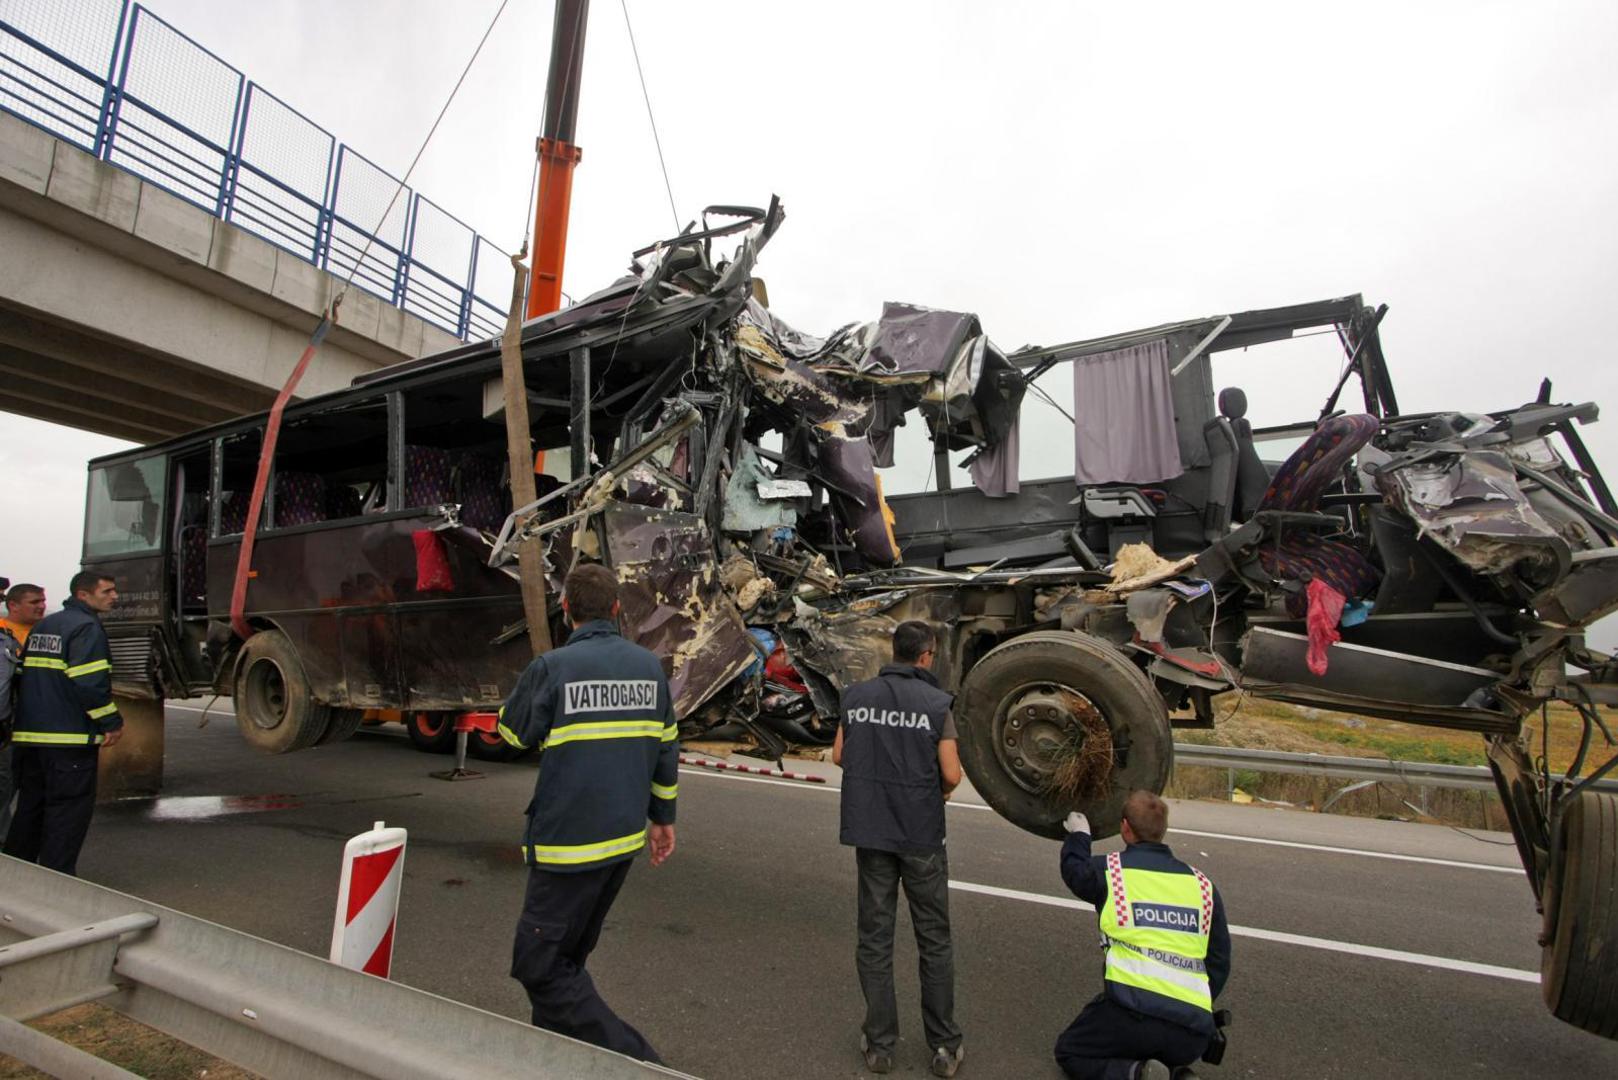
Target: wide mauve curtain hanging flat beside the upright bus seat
(1124, 415)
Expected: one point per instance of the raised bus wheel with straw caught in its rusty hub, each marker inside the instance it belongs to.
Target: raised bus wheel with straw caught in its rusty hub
(1031, 712)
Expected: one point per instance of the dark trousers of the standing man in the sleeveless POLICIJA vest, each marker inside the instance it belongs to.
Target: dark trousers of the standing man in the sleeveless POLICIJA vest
(928, 891)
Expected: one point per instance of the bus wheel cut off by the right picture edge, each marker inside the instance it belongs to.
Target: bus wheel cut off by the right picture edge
(1580, 959)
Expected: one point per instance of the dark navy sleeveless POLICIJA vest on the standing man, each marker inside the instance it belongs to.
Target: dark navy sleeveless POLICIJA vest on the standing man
(892, 791)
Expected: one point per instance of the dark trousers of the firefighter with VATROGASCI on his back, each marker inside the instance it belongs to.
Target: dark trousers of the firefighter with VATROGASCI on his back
(561, 924)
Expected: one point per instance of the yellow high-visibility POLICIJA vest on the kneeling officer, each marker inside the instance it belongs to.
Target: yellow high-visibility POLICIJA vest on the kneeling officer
(1156, 932)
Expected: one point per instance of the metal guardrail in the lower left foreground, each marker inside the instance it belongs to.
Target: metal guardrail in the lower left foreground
(261, 1006)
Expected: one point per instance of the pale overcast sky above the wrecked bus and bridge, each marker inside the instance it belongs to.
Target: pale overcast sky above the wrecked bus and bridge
(1061, 169)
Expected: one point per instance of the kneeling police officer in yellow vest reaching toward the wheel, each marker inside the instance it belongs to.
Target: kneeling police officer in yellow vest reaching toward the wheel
(1167, 953)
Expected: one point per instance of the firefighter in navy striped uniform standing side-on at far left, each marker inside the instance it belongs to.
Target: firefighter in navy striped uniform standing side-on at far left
(64, 716)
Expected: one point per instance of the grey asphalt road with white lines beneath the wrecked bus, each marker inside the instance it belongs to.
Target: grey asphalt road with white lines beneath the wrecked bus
(1363, 948)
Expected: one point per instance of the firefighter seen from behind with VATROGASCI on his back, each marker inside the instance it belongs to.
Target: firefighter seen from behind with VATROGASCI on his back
(601, 710)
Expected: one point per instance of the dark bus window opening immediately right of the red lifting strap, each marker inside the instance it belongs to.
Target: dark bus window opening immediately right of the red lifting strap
(332, 466)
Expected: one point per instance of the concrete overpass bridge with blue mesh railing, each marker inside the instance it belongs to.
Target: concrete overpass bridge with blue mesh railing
(166, 252)
